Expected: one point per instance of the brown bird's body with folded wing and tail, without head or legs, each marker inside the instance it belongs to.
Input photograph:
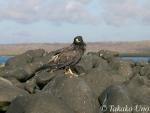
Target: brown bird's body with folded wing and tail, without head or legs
(61, 58)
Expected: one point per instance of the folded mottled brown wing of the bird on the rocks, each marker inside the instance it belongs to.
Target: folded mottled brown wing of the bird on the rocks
(65, 58)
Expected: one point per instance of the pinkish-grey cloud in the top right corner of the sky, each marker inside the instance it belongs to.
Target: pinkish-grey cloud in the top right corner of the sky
(120, 12)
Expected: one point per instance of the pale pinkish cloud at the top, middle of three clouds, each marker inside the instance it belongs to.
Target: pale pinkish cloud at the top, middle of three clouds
(71, 11)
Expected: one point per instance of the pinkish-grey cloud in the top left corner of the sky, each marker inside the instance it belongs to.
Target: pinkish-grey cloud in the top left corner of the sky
(22, 11)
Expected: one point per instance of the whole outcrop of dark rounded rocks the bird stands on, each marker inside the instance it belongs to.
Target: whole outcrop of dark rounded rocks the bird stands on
(103, 79)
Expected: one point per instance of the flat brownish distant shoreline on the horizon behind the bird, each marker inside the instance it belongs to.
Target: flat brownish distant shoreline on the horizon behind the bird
(141, 48)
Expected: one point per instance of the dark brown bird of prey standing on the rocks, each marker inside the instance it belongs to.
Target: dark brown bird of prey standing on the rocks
(67, 57)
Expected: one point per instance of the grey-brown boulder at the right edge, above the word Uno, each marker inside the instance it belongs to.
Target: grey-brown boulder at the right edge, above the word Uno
(139, 90)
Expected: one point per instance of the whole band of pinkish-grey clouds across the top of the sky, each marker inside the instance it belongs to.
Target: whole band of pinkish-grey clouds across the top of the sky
(113, 12)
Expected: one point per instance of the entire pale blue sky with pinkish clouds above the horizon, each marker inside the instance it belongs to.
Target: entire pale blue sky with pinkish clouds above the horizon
(49, 21)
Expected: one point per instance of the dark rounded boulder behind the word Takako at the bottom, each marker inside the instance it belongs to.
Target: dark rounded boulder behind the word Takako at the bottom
(114, 96)
